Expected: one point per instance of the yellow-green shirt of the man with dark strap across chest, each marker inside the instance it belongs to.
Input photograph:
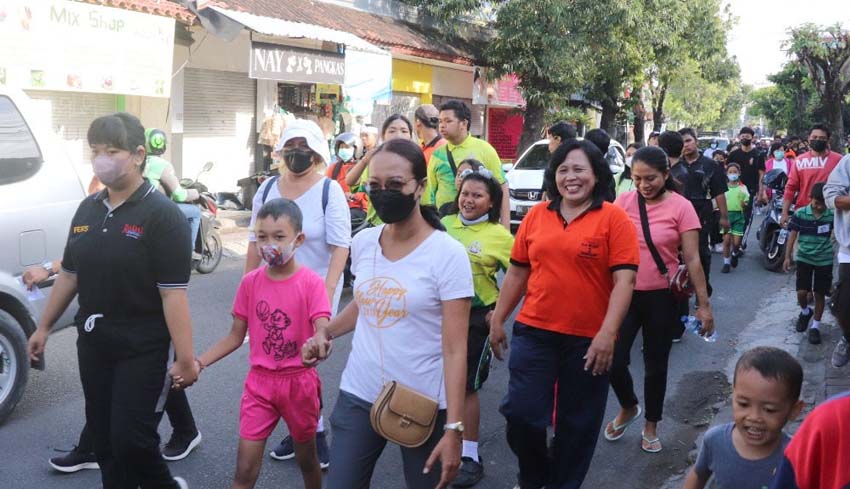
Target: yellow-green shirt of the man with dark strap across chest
(441, 180)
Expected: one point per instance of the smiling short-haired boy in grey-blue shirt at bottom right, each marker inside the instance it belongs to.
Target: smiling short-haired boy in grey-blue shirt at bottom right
(765, 397)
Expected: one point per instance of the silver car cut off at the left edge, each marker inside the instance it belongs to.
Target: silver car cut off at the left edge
(39, 193)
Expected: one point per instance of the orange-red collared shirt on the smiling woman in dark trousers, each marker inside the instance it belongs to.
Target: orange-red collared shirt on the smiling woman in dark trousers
(572, 265)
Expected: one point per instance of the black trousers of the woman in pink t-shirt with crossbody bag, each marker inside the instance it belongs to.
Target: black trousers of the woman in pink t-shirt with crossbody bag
(652, 312)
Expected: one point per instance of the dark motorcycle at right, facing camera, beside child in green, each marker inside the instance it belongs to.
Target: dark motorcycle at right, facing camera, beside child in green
(771, 235)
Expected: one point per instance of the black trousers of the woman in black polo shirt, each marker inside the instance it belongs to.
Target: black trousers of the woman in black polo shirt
(125, 385)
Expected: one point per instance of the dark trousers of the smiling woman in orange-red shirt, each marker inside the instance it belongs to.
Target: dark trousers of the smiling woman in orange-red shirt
(539, 360)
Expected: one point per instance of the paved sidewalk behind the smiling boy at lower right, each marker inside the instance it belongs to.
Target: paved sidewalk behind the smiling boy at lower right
(820, 379)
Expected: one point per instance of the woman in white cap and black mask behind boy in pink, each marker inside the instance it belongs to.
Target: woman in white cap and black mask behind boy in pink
(327, 225)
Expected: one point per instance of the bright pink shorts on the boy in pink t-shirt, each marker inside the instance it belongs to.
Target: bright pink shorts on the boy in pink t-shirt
(270, 395)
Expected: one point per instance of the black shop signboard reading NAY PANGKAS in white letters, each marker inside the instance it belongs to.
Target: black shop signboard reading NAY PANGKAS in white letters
(285, 63)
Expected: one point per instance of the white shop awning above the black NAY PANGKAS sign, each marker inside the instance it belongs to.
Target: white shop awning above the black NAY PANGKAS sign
(271, 26)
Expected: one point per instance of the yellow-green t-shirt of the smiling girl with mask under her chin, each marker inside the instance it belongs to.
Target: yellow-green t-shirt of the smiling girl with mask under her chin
(489, 246)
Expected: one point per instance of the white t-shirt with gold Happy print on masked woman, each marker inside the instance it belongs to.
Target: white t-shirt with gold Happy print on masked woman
(402, 302)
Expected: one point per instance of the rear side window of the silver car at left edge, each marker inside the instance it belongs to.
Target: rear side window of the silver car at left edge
(20, 157)
